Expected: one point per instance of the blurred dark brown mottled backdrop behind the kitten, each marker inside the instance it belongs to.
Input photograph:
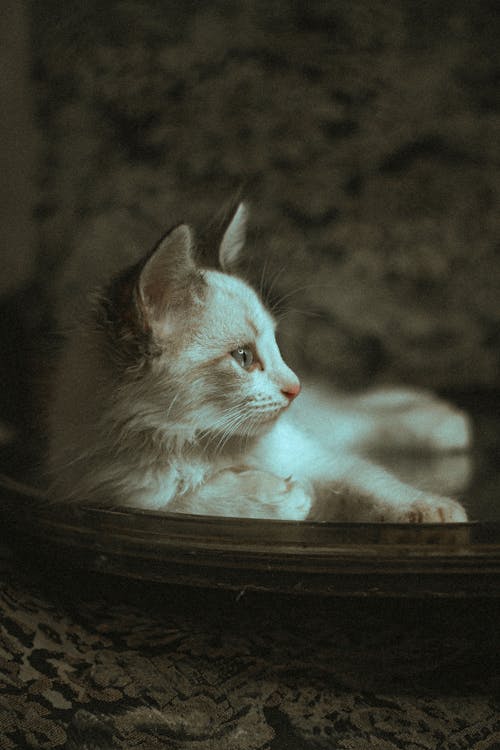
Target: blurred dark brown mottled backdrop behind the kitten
(365, 136)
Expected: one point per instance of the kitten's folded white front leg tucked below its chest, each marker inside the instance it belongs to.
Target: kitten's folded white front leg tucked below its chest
(247, 493)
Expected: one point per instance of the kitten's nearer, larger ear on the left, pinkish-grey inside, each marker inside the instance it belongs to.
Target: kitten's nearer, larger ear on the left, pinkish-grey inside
(168, 275)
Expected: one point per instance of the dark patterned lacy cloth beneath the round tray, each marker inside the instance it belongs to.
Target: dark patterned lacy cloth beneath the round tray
(95, 664)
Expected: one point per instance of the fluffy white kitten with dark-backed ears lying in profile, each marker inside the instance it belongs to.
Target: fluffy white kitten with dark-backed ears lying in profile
(173, 395)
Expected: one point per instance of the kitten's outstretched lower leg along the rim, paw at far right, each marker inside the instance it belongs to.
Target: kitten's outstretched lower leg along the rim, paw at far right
(366, 492)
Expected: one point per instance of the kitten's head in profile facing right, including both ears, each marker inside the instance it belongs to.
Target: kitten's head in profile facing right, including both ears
(197, 344)
